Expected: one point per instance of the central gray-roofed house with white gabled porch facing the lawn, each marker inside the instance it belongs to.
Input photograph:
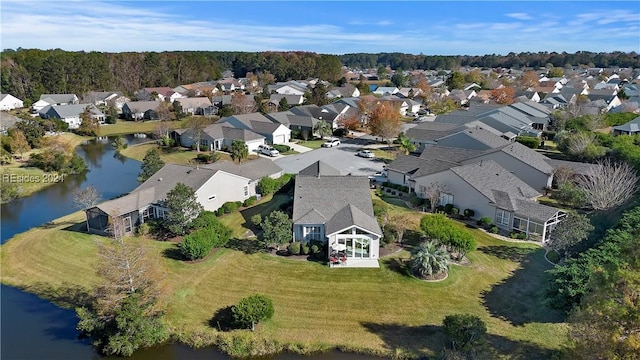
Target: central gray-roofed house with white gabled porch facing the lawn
(338, 211)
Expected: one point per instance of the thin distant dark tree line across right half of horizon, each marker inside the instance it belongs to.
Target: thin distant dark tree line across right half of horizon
(511, 60)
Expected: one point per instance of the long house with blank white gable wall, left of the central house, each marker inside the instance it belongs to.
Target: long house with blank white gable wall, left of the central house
(214, 184)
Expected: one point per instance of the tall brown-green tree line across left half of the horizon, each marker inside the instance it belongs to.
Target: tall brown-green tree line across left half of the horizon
(28, 73)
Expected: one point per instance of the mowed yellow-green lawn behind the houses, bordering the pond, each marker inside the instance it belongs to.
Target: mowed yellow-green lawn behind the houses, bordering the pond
(382, 311)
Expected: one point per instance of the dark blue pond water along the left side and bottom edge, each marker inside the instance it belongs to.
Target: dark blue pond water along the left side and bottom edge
(32, 328)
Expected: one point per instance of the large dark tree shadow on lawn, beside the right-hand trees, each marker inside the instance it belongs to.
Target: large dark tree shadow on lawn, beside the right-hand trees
(519, 299)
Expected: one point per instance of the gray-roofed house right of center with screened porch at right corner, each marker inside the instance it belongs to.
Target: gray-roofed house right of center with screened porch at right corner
(484, 187)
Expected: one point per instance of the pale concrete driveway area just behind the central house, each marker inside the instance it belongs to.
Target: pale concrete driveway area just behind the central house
(342, 157)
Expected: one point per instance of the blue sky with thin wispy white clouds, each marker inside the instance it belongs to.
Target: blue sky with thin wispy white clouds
(337, 27)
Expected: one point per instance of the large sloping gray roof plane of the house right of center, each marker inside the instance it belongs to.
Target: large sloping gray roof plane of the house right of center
(487, 176)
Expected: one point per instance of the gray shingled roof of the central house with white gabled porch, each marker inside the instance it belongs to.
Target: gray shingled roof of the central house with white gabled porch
(342, 200)
